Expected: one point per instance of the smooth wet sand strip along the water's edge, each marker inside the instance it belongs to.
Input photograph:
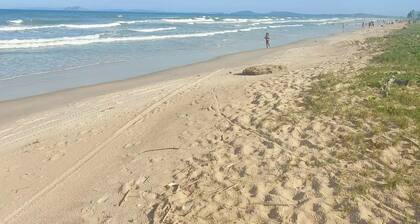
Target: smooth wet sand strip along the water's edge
(18, 108)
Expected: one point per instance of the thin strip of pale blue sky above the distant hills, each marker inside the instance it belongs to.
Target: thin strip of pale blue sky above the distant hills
(383, 7)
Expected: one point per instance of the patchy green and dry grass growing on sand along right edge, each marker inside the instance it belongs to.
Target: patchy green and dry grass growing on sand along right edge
(381, 106)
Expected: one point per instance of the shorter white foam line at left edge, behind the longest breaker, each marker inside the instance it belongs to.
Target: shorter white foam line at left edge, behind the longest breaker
(68, 26)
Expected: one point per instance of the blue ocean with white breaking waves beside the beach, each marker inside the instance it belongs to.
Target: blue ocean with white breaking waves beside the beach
(47, 51)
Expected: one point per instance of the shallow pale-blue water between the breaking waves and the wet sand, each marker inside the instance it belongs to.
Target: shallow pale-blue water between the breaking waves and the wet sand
(38, 79)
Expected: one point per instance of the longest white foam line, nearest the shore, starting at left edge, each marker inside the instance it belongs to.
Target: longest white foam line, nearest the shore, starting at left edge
(92, 39)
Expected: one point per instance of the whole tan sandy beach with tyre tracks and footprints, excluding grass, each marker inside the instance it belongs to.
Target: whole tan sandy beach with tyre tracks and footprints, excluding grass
(202, 143)
